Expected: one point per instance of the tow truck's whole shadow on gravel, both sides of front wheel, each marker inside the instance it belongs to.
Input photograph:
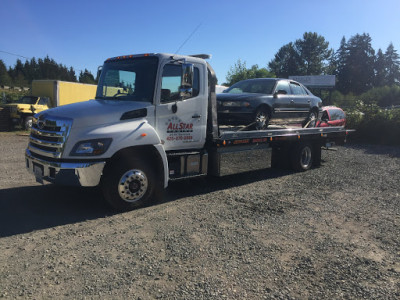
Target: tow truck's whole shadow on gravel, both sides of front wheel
(26, 209)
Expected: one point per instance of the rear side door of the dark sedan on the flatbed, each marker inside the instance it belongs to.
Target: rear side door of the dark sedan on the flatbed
(301, 101)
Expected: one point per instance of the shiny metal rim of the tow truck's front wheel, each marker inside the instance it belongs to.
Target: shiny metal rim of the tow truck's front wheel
(132, 185)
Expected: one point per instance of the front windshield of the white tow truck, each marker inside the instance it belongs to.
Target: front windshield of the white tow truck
(128, 80)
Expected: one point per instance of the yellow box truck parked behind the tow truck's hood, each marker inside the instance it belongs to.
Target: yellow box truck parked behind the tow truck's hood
(47, 94)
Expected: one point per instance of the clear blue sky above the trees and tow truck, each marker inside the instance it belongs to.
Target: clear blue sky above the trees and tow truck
(82, 34)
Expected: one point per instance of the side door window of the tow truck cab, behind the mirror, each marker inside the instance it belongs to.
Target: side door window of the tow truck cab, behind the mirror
(171, 83)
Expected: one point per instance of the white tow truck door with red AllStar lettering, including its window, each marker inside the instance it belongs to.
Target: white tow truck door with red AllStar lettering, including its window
(181, 124)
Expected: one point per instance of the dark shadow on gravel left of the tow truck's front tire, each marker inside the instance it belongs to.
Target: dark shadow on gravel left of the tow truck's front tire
(26, 209)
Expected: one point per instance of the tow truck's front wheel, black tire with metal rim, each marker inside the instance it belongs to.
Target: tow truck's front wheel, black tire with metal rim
(132, 184)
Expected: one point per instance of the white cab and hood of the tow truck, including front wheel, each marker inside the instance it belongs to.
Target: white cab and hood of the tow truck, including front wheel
(146, 106)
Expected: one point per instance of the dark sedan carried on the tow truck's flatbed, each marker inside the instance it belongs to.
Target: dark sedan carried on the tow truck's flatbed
(260, 102)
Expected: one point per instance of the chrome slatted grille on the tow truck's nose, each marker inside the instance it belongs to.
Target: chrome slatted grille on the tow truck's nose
(48, 136)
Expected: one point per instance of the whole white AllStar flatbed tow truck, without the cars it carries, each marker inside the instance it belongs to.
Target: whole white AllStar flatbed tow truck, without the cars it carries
(154, 120)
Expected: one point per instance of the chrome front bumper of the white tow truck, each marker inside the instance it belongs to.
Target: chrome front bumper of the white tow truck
(65, 173)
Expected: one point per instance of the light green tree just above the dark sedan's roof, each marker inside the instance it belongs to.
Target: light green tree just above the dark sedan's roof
(240, 72)
